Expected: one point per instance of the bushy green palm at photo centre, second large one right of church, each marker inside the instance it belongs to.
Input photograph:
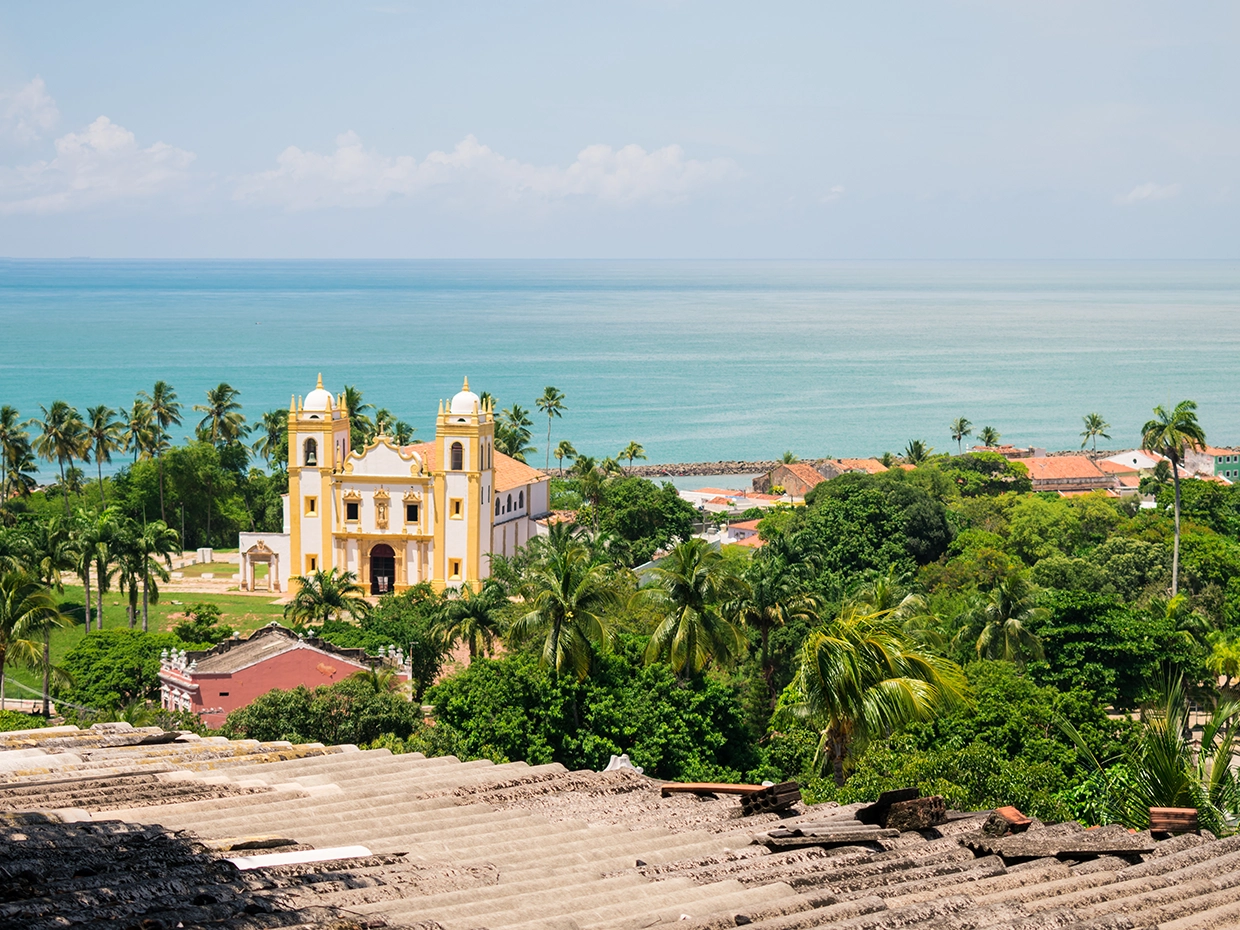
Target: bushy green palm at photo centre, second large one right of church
(691, 587)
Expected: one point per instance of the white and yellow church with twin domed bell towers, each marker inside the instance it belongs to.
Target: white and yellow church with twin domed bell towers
(396, 516)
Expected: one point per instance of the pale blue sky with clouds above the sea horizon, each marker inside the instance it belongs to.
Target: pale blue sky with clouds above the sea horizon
(647, 130)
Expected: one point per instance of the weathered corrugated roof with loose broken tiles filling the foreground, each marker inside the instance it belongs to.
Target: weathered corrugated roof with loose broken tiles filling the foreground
(335, 838)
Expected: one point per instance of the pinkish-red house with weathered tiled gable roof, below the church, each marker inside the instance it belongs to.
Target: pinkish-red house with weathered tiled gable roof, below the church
(216, 681)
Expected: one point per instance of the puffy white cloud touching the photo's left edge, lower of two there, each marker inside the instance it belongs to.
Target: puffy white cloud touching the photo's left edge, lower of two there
(102, 163)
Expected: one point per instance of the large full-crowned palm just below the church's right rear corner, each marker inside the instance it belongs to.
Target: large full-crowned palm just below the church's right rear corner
(570, 596)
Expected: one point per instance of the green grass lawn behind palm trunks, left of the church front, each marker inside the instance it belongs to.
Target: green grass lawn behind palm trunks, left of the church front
(241, 612)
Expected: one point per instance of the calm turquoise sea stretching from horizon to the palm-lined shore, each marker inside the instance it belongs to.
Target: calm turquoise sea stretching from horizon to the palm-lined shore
(695, 360)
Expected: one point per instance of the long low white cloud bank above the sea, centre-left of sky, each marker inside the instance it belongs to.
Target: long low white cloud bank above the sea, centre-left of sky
(354, 177)
